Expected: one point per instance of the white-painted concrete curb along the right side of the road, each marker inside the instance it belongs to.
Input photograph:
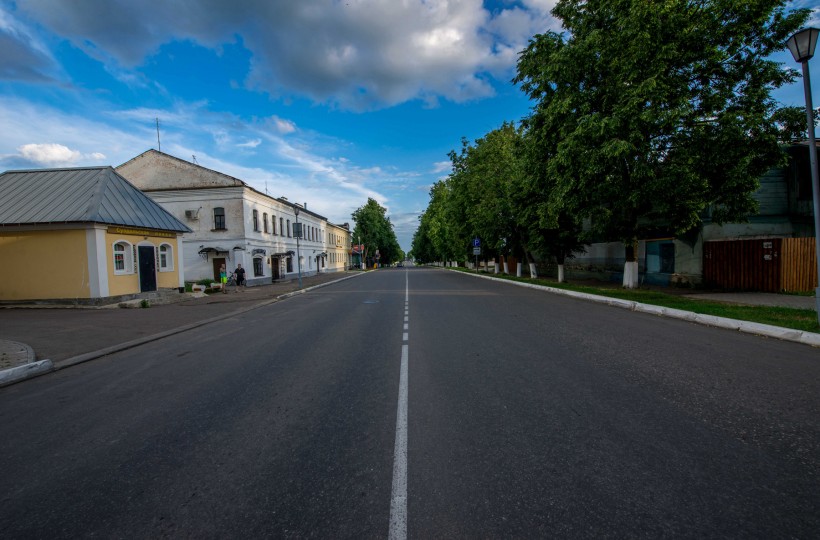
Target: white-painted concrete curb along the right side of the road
(777, 332)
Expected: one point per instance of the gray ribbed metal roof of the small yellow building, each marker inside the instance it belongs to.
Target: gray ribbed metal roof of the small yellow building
(82, 195)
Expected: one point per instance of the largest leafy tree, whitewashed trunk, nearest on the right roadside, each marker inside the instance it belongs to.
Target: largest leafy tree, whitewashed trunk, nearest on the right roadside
(653, 113)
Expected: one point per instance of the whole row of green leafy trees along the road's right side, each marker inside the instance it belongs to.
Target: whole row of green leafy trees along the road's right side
(646, 116)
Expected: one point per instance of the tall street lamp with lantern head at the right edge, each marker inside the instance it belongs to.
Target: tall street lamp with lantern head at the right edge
(802, 45)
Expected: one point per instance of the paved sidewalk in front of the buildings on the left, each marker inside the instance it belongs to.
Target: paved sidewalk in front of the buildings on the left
(67, 335)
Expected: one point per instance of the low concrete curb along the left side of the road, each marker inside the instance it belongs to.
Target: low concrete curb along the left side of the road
(30, 370)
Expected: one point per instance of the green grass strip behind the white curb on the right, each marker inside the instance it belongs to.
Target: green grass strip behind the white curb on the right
(798, 319)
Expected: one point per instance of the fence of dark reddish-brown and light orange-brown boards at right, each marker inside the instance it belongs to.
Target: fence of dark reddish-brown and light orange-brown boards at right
(767, 265)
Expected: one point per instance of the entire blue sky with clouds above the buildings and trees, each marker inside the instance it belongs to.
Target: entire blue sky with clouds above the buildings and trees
(327, 102)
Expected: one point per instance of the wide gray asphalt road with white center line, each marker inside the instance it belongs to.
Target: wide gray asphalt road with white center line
(527, 415)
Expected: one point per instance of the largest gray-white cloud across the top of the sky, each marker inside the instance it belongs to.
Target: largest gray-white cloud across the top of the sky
(354, 54)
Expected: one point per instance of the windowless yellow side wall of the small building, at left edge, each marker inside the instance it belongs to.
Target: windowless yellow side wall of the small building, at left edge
(43, 264)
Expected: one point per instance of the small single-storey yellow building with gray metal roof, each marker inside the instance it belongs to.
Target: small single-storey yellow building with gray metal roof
(83, 235)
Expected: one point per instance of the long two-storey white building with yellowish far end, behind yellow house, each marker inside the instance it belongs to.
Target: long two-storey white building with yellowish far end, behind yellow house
(234, 224)
